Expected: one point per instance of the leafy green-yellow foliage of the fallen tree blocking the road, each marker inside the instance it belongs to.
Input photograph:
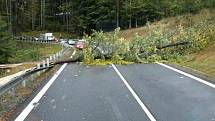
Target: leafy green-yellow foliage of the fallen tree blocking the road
(155, 45)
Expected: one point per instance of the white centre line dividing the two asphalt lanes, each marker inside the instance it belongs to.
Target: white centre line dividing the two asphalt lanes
(148, 113)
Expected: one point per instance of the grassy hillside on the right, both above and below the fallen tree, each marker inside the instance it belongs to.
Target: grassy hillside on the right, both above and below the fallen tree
(203, 59)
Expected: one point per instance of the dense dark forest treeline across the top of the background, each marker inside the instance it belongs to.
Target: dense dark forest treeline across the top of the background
(78, 16)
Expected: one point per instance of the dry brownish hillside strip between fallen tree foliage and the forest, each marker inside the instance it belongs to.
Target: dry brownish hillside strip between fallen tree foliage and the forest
(168, 24)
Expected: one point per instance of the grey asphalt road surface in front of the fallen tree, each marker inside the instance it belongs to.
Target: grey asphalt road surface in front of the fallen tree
(82, 93)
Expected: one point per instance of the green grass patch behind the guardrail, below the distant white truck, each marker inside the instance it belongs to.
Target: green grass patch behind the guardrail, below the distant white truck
(28, 52)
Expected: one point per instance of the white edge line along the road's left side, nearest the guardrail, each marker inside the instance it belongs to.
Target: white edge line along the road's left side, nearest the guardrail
(37, 98)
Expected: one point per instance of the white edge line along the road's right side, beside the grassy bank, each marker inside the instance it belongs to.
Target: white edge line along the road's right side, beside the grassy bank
(188, 75)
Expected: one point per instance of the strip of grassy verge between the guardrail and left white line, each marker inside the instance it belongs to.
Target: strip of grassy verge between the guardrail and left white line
(19, 90)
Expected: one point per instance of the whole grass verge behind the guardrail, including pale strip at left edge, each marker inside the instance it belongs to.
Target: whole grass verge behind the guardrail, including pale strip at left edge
(28, 54)
